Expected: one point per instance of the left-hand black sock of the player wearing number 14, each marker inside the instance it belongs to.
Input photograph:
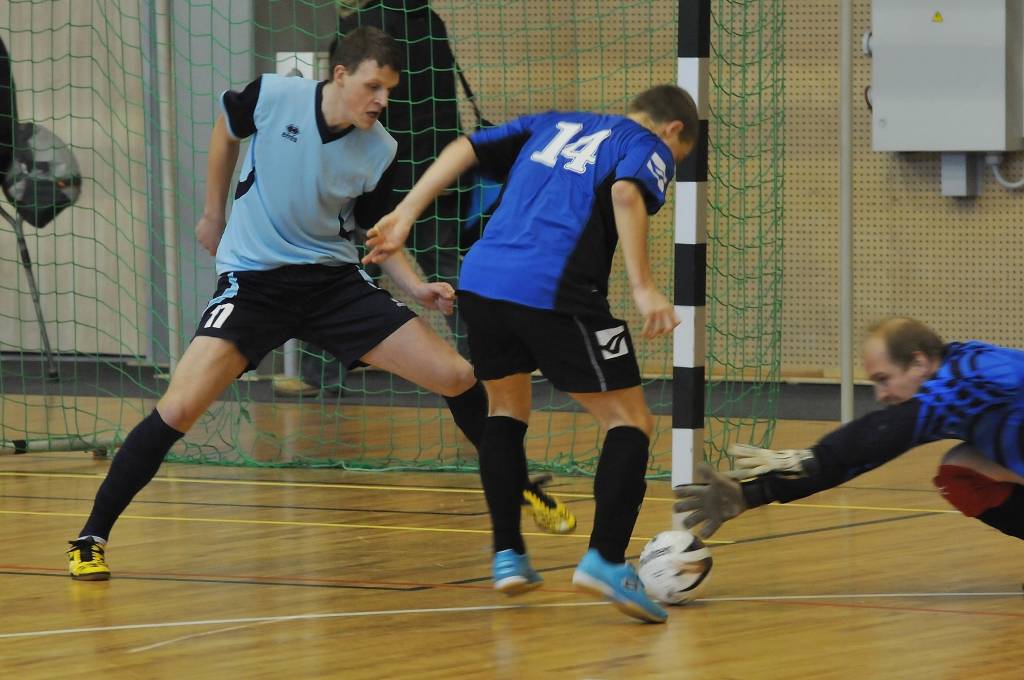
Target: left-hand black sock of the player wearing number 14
(503, 474)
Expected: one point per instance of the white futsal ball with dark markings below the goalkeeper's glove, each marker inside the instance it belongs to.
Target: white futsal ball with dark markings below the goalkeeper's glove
(674, 567)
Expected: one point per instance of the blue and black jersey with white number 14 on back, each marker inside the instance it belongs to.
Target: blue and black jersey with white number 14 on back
(550, 242)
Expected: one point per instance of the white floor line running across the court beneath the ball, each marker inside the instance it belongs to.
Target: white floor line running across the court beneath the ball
(494, 608)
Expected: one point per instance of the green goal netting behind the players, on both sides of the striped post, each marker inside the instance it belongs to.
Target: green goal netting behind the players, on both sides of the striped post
(122, 282)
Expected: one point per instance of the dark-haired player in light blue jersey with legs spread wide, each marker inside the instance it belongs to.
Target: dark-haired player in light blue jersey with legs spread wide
(319, 165)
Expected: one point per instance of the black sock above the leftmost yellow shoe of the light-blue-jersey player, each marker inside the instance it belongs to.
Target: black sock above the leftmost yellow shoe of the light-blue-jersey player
(134, 467)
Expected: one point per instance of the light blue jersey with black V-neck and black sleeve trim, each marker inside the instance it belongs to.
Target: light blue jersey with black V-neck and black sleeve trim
(300, 181)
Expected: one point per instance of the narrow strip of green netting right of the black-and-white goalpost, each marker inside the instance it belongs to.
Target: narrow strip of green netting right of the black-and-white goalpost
(745, 224)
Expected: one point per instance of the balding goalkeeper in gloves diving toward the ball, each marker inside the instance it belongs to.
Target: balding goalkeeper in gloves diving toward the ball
(972, 392)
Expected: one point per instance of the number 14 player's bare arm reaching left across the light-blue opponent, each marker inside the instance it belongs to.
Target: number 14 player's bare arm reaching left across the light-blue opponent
(390, 234)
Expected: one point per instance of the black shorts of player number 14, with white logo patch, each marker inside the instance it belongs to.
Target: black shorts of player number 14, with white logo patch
(578, 354)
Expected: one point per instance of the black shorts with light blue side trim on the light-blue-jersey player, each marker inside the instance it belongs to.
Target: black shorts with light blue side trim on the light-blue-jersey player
(337, 308)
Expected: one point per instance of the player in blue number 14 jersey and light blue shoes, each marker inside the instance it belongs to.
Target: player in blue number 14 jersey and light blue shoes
(534, 290)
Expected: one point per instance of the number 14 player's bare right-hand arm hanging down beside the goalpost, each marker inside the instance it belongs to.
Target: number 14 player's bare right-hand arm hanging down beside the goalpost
(632, 225)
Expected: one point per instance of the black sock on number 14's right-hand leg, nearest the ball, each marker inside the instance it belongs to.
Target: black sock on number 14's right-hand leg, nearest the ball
(619, 491)
